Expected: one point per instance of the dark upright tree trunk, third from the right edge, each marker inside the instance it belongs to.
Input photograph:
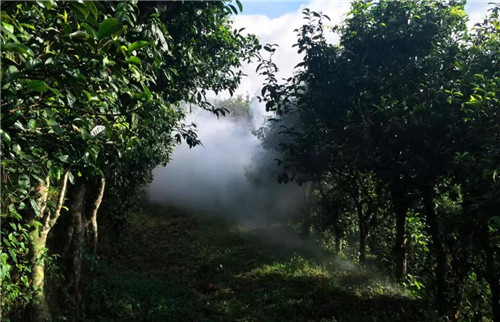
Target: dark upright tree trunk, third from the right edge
(399, 201)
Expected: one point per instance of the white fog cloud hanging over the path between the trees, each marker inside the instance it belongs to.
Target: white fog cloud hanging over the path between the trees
(214, 178)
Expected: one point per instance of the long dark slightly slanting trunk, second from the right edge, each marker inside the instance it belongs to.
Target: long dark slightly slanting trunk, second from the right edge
(437, 243)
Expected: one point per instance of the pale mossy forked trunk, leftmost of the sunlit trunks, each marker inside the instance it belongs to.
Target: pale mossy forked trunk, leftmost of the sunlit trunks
(38, 241)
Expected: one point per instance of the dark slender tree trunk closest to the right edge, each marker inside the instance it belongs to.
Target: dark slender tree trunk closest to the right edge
(491, 272)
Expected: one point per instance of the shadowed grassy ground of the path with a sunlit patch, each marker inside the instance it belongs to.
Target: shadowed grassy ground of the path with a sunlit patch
(170, 266)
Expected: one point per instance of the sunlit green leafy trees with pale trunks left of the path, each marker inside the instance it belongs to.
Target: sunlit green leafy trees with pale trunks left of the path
(91, 95)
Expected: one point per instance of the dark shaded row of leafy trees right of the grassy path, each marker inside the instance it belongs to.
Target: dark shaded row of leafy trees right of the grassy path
(396, 131)
